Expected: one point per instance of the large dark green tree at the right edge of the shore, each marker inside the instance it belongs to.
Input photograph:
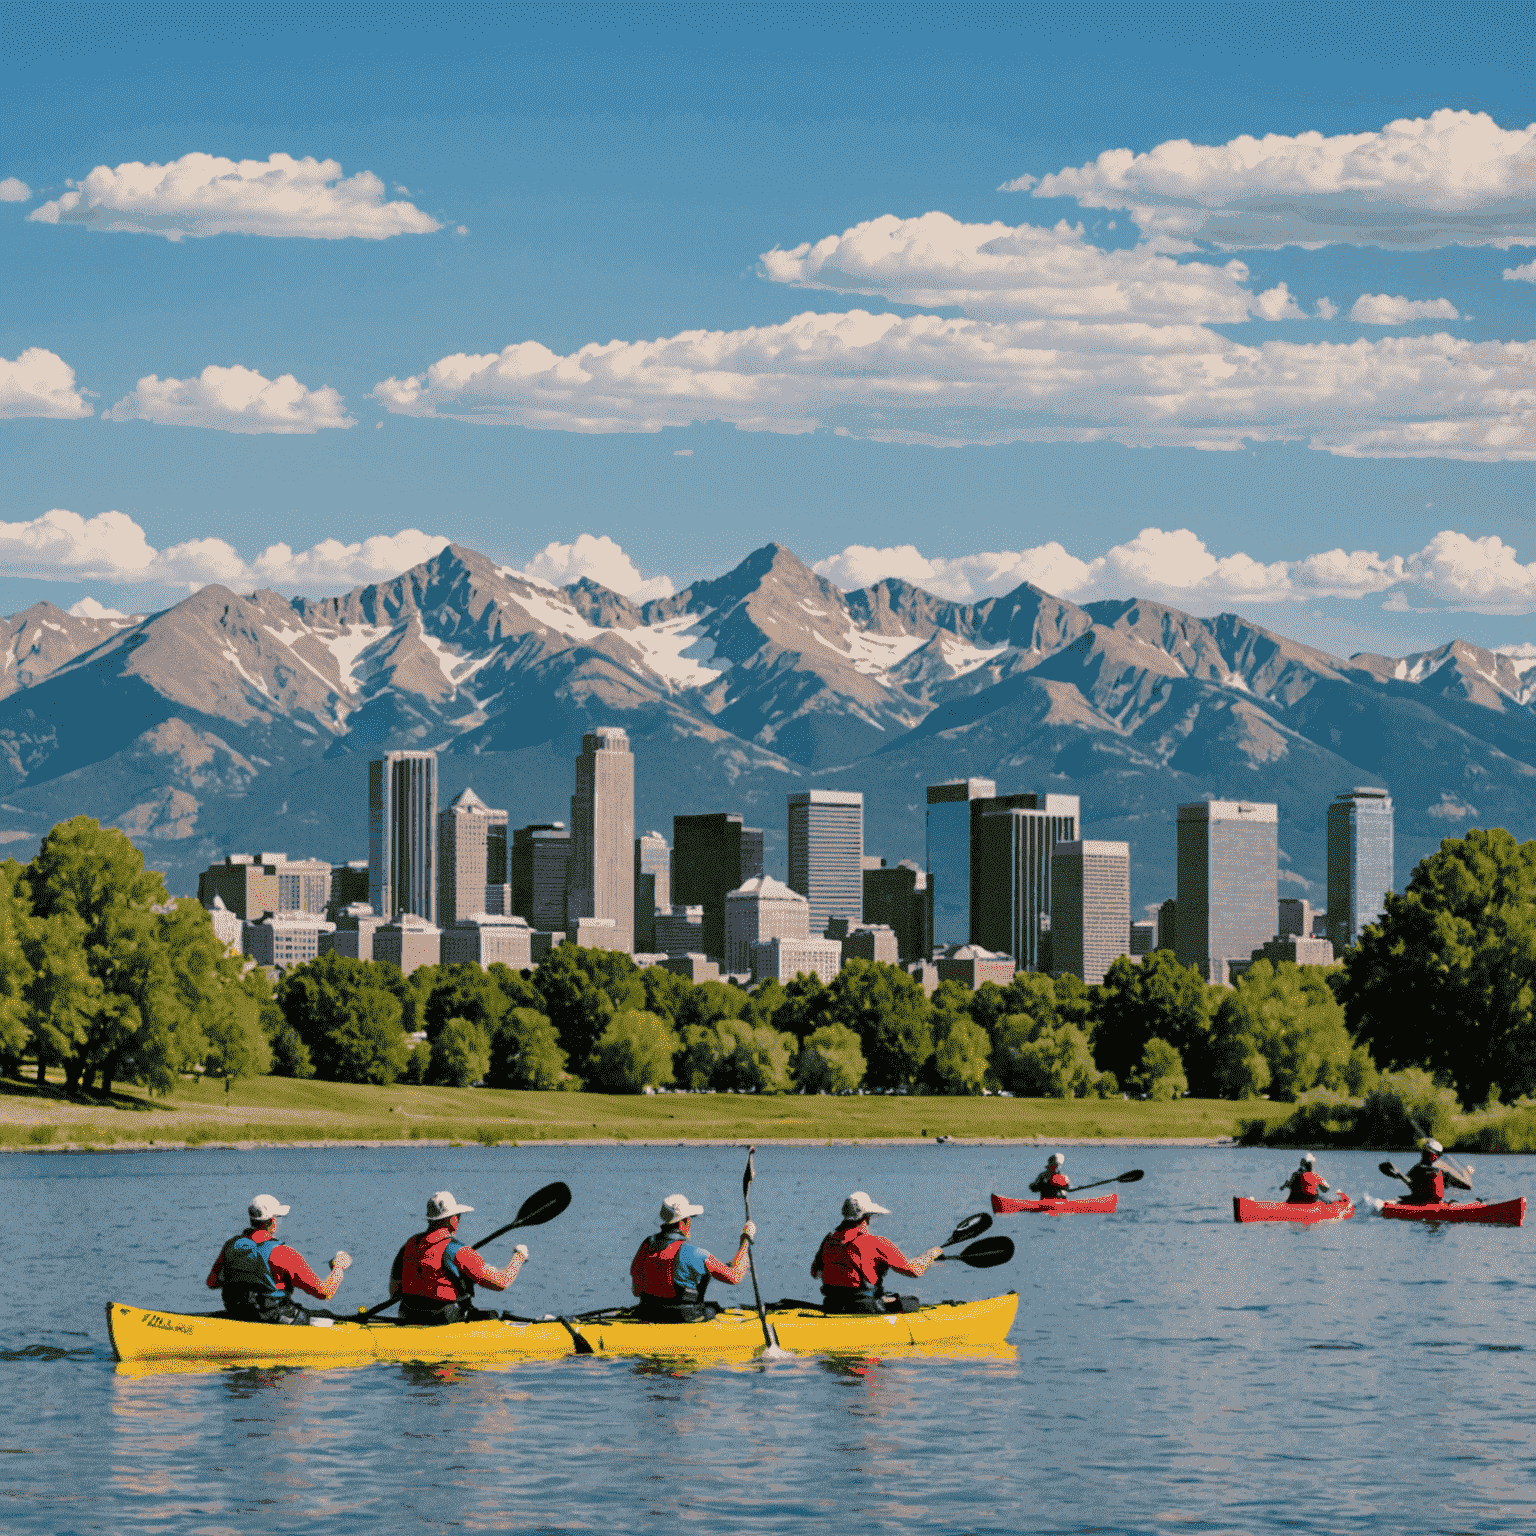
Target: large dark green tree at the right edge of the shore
(1448, 979)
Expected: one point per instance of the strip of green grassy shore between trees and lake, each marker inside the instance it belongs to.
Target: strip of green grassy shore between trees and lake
(283, 1110)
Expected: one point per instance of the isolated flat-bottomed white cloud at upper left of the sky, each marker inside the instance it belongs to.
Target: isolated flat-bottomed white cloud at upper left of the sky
(210, 196)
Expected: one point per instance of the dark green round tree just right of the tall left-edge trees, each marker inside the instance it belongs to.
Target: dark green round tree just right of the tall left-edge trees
(349, 1018)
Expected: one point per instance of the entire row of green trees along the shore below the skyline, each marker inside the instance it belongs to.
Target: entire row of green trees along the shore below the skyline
(105, 976)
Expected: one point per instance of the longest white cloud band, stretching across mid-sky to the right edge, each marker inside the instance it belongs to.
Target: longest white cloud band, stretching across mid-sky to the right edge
(953, 382)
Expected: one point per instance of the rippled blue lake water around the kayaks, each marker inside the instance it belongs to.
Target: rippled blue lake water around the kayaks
(1173, 1371)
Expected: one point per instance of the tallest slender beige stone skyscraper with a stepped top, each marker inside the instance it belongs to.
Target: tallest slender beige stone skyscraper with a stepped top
(603, 835)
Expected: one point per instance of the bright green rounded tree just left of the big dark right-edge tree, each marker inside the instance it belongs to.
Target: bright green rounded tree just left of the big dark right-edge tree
(1280, 1030)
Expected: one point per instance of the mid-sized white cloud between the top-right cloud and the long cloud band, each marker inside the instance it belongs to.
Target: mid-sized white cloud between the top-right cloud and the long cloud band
(1002, 273)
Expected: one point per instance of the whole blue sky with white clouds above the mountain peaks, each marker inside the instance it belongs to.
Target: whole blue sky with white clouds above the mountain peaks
(993, 406)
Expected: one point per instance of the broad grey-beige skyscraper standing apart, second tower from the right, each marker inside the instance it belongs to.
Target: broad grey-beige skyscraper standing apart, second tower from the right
(1228, 870)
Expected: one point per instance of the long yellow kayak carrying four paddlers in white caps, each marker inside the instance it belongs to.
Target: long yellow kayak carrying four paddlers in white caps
(171, 1340)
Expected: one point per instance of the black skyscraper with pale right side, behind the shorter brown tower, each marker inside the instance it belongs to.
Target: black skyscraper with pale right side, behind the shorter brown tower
(1011, 870)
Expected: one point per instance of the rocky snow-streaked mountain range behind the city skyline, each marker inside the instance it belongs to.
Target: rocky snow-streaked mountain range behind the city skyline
(245, 723)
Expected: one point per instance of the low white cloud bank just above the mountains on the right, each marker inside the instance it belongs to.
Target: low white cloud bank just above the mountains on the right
(1454, 571)
